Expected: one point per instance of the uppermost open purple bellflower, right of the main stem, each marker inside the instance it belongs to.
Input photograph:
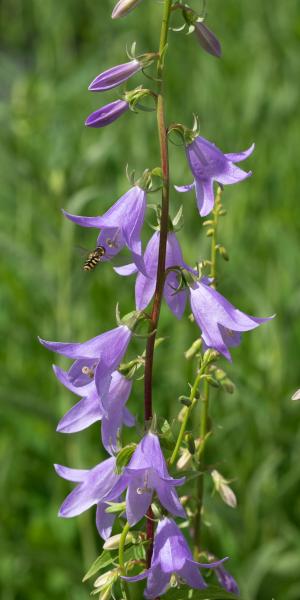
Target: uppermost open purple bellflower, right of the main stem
(209, 164)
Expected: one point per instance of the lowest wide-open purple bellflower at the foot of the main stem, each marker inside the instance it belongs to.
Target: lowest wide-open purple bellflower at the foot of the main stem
(171, 557)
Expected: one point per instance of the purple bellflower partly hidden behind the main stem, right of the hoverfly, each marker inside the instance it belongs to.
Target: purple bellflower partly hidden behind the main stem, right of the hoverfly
(145, 286)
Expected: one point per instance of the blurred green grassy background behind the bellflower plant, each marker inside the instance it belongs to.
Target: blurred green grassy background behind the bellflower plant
(49, 53)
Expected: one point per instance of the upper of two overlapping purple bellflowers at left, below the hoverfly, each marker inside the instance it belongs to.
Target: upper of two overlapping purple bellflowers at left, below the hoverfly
(102, 354)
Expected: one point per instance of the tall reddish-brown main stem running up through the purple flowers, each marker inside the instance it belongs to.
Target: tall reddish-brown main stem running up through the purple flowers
(164, 222)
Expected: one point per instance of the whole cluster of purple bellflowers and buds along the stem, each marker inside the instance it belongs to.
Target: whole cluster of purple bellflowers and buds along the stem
(97, 374)
